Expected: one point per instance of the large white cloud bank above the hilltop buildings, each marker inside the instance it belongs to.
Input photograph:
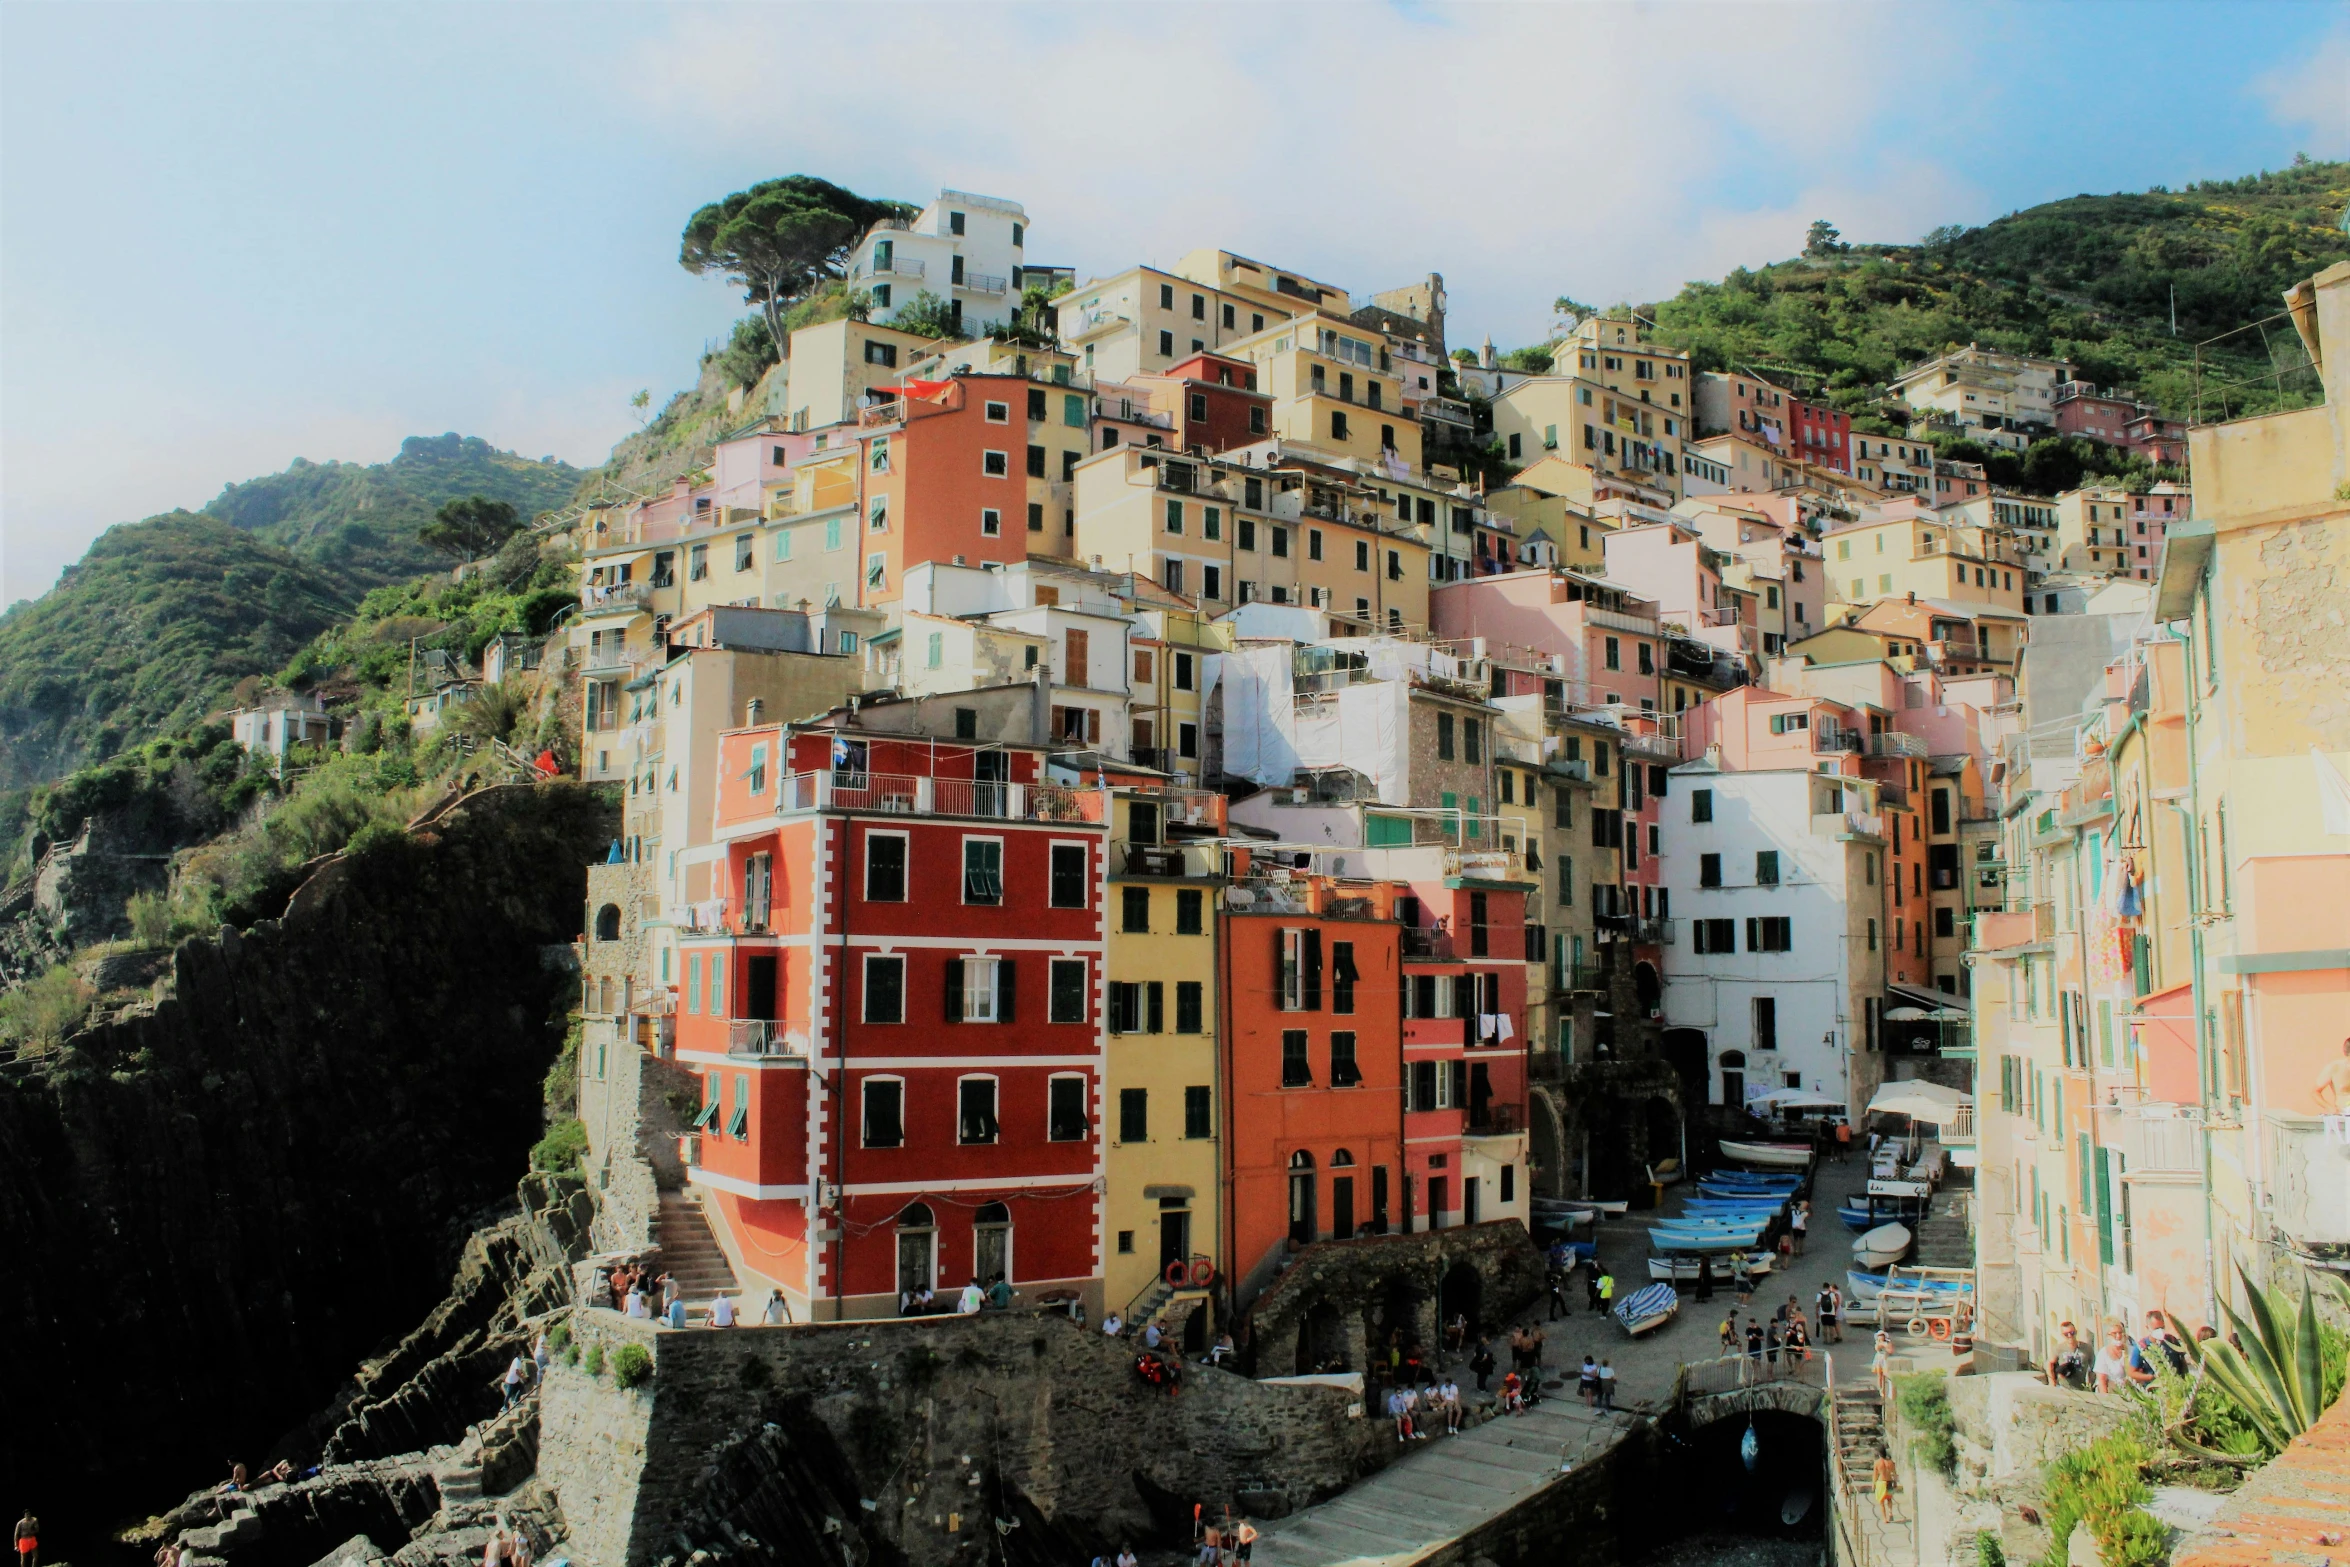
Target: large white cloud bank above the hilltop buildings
(1524, 152)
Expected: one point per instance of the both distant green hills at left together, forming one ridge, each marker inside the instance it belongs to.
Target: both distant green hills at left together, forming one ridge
(161, 619)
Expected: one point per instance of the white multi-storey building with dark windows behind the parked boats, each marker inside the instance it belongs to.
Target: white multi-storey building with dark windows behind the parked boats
(1778, 950)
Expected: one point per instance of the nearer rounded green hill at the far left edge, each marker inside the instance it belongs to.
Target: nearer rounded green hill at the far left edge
(147, 633)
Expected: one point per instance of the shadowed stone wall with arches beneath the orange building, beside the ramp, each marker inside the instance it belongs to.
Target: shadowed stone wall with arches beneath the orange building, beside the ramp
(1345, 1298)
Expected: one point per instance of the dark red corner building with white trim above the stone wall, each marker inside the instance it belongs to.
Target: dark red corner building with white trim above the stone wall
(897, 1018)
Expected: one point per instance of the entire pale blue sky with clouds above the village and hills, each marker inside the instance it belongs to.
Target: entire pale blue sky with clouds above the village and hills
(243, 234)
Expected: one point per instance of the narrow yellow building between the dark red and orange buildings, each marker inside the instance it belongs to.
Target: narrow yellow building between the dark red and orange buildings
(1162, 1148)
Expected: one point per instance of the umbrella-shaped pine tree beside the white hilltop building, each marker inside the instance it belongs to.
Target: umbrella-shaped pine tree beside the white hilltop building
(781, 241)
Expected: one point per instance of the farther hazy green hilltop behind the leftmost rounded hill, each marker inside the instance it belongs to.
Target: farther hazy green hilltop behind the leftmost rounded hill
(358, 520)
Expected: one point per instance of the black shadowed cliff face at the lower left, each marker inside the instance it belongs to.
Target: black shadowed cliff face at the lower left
(217, 1209)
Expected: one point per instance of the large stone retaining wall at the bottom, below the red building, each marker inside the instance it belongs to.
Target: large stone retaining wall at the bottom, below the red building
(913, 1439)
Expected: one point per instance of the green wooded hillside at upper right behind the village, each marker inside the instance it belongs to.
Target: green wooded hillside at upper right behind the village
(2090, 278)
